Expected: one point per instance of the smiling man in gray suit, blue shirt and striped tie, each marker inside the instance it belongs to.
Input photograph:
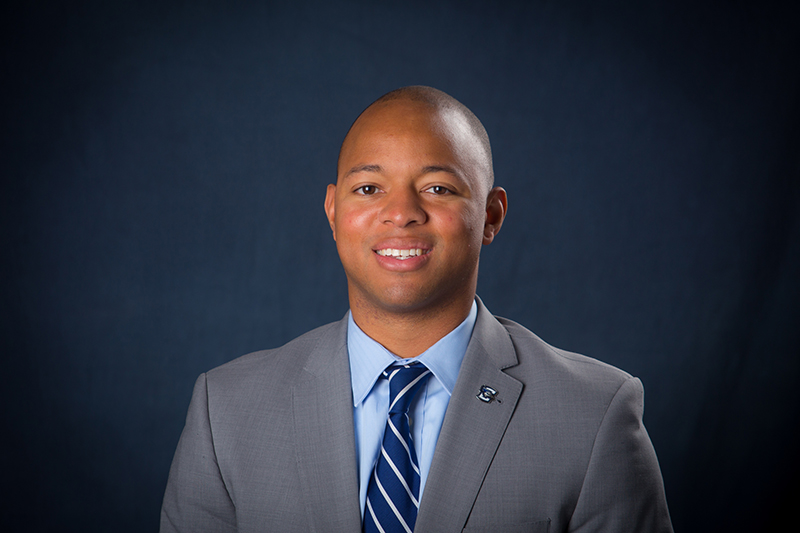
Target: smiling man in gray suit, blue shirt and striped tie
(497, 431)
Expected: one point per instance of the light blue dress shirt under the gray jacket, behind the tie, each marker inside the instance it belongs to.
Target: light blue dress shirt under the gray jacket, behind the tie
(371, 396)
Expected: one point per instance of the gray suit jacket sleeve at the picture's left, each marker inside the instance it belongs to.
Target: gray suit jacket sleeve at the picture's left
(196, 499)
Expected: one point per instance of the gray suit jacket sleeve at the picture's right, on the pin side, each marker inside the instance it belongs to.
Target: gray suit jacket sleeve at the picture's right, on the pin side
(623, 489)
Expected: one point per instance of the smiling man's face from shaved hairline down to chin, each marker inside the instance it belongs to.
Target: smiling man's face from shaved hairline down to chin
(408, 212)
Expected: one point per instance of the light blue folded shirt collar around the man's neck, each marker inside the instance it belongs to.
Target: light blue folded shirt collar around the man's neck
(368, 358)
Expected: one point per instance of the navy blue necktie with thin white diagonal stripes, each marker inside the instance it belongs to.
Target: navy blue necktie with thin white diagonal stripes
(393, 492)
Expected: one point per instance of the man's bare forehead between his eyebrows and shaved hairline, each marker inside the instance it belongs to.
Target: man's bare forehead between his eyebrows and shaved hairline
(414, 129)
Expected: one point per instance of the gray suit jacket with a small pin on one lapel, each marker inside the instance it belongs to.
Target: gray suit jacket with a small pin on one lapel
(269, 444)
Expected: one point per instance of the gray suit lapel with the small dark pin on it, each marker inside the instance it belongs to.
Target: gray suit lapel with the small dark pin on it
(472, 429)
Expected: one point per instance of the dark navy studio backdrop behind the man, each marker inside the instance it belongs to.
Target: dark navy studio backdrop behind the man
(163, 172)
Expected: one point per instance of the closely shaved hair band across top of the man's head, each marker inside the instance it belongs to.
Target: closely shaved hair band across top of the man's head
(454, 112)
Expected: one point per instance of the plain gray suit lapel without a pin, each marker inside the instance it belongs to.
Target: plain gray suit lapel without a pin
(323, 422)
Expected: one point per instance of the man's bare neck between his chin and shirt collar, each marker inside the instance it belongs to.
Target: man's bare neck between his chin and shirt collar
(409, 333)
